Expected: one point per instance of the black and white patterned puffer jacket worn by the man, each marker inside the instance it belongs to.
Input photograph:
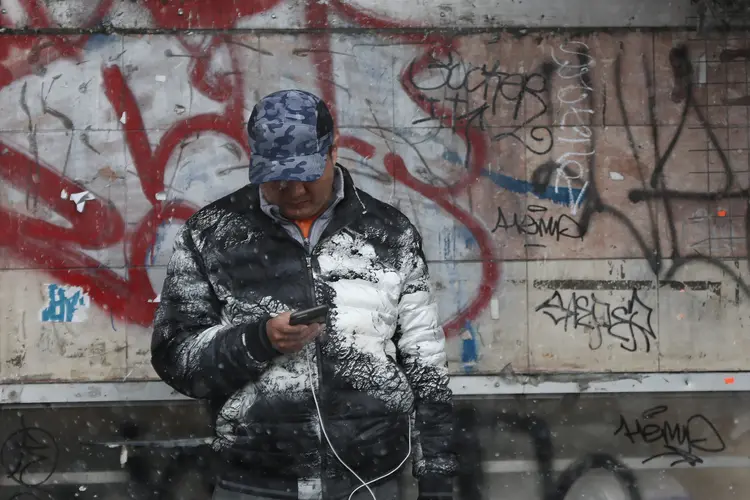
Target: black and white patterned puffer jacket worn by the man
(379, 363)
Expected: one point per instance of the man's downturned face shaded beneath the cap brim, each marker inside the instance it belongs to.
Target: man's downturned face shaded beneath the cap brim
(303, 200)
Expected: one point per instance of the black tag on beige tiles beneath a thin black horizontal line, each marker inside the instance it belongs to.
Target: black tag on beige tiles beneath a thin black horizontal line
(629, 323)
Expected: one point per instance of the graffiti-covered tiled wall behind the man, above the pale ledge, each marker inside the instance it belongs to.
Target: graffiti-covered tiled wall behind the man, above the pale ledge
(583, 198)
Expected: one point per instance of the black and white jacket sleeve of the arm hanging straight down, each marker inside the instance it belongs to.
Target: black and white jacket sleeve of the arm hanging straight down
(421, 352)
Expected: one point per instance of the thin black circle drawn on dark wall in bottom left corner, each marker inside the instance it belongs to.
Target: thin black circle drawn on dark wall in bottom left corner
(29, 456)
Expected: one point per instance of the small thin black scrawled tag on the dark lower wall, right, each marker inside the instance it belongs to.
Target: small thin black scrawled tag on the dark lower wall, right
(680, 440)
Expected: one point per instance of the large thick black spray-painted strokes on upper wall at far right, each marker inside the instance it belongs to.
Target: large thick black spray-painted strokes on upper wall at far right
(654, 189)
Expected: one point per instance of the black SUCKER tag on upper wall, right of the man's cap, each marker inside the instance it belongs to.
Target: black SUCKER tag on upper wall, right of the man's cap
(474, 92)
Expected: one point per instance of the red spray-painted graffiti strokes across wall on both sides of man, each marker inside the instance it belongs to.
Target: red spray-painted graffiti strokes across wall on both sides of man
(59, 250)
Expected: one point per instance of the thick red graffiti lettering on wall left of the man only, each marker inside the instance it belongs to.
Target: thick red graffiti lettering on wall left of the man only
(59, 250)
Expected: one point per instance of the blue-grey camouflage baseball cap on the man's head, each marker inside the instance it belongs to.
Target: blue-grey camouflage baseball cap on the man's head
(290, 134)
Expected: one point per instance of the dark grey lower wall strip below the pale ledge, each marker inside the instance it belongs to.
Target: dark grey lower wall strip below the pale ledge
(677, 447)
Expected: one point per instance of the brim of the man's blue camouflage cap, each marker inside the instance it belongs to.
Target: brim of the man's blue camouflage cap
(299, 168)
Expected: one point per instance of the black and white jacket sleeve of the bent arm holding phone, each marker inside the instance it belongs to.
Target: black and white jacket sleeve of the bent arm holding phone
(192, 349)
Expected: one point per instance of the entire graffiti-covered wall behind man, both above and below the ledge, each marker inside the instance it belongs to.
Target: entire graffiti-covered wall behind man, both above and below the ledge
(623, 132)
